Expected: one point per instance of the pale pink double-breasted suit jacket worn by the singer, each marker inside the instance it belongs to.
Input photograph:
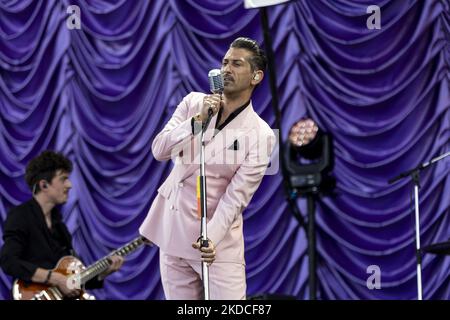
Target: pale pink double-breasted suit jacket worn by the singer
(232, 178)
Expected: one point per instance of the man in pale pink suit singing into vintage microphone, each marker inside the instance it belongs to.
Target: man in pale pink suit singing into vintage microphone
(237, 152)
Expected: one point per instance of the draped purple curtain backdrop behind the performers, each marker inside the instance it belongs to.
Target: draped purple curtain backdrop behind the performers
(101, 93)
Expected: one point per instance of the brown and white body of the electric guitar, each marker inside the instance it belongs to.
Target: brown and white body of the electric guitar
(68, 265)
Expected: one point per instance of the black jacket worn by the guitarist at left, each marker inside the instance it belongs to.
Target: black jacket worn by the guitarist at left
(29, 244)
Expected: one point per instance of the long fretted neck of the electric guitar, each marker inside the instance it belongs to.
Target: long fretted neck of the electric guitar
(103, 264)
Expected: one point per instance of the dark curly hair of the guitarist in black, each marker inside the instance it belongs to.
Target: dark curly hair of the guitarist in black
(44, 167)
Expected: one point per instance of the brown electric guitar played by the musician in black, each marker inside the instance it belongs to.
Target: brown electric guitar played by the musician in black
(77, 274)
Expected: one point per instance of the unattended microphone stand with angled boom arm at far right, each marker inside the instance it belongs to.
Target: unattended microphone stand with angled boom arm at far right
(415, 176)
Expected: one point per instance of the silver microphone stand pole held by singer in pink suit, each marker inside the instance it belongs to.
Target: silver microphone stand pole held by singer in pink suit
(201, 187)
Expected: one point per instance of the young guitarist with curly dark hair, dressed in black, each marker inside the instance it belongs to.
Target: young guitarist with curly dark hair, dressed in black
(35, 236)
